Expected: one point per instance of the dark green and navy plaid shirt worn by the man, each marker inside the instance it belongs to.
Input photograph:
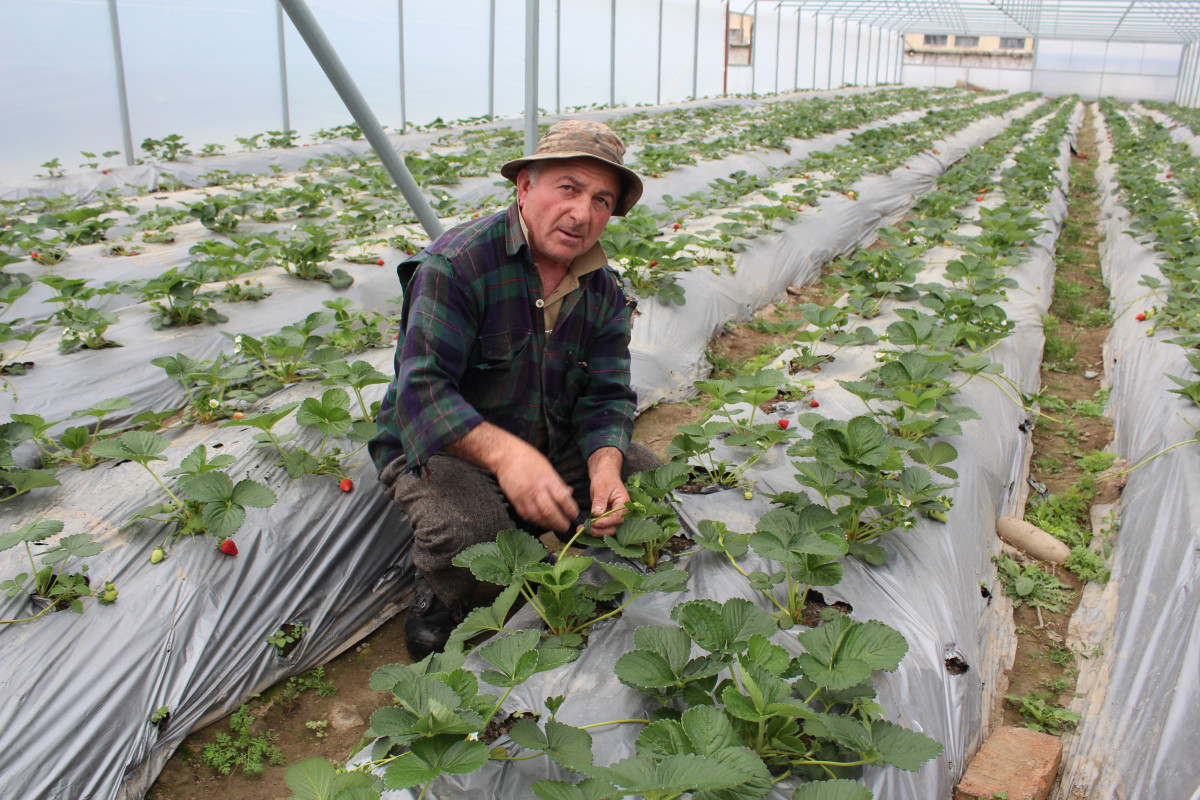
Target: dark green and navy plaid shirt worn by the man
(473, 348)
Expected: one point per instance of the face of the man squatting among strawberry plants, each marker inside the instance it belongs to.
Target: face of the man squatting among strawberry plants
(567, 207)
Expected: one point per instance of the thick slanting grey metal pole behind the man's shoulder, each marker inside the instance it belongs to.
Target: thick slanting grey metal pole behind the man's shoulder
(357, 105)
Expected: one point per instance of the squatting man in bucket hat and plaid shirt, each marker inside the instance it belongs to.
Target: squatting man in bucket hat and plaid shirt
(512, 405)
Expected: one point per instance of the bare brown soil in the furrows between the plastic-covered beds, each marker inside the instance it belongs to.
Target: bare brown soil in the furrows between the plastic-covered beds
(1043, 664)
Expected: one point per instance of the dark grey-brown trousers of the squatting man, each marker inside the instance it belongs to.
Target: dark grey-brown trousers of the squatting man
(457, 506)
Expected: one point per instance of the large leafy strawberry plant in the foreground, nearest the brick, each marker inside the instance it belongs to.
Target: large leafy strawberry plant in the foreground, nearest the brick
(811, 718)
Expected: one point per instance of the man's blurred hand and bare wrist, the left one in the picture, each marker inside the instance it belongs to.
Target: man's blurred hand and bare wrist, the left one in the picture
(527, 478)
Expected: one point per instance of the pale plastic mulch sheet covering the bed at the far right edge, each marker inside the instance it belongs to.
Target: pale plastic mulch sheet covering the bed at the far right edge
(1141, 735)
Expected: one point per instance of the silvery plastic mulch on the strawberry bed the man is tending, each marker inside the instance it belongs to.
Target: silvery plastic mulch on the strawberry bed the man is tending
(929, 590)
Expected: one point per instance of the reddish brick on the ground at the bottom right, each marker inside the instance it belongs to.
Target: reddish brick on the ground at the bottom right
(1015, 762)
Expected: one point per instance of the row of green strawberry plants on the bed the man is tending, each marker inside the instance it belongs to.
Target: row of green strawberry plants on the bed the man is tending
(830, 705)
